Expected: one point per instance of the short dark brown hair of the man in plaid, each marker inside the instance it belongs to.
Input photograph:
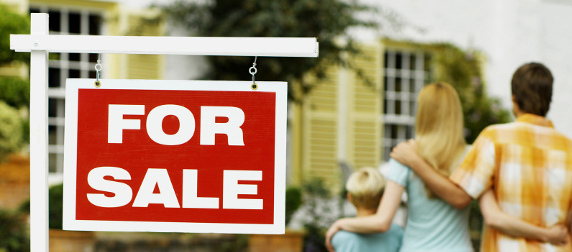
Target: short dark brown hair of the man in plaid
(532, 88)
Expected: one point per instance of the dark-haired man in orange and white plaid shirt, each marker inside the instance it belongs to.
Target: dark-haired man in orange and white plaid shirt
(527, 164)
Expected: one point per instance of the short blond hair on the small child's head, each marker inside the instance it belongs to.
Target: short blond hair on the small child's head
(365, 187)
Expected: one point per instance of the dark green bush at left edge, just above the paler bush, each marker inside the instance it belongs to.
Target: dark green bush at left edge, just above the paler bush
(15, 92)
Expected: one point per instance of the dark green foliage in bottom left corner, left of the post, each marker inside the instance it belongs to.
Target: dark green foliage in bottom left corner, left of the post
(13, 232)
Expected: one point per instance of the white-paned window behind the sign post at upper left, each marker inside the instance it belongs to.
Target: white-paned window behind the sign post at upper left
(65, 21)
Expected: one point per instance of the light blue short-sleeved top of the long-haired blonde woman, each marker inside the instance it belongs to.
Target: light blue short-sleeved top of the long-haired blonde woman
(432, 224)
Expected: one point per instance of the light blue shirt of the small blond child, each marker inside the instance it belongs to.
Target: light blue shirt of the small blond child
(389, 241)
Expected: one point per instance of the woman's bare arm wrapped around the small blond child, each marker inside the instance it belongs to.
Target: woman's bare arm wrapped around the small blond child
(379, 222)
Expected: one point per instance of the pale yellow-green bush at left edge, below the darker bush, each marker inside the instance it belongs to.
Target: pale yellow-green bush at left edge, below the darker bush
(11, 130)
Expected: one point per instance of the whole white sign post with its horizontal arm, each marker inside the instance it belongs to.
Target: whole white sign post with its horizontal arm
(40, 44)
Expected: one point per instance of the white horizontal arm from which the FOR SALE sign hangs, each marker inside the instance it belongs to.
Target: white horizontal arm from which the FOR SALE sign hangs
(214, 46)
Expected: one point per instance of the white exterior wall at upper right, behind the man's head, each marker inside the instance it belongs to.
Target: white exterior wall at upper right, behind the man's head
(509, 32)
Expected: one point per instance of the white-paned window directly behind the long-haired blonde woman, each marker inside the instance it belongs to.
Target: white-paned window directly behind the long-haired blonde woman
(405, 74)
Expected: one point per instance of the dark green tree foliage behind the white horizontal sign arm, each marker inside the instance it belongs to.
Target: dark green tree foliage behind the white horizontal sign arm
(328, 20)
